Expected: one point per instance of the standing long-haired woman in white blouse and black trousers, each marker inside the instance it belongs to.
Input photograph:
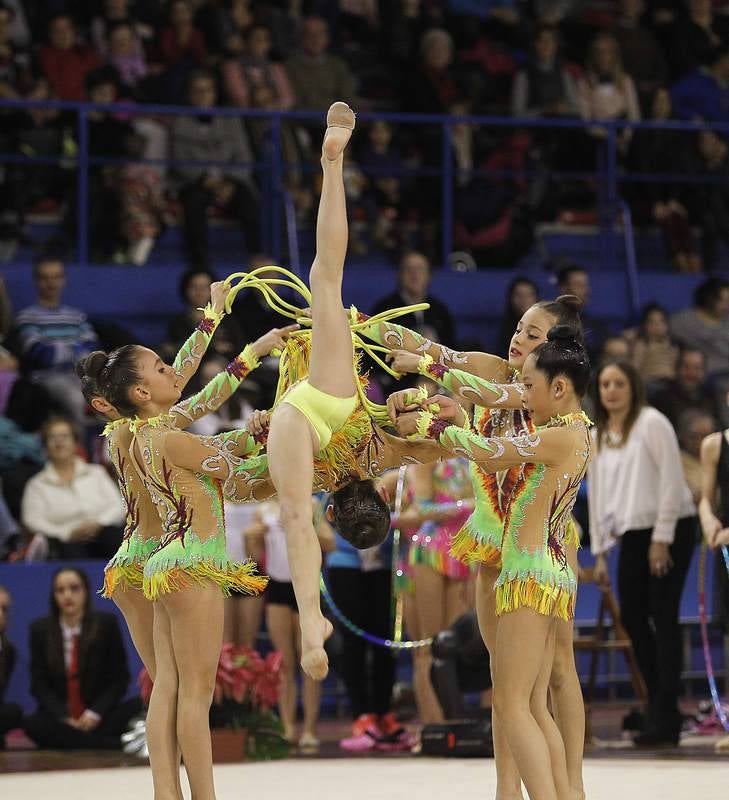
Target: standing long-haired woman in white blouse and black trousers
(638, 497)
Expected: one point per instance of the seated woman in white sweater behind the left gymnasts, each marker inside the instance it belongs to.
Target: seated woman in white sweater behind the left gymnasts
(73, 509)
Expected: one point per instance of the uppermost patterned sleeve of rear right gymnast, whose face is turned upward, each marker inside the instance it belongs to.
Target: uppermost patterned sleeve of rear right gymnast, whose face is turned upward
(398, 337)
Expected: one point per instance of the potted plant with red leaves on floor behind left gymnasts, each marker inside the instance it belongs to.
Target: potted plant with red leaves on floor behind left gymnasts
(242, 720)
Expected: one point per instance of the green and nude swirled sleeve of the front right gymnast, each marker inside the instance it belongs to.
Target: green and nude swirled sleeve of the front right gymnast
(547, 446)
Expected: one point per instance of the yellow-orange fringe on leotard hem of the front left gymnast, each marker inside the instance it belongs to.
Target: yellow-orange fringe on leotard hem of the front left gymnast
(238, 577)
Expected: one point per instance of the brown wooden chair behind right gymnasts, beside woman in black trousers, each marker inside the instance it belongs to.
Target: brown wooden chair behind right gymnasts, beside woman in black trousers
(599, 642)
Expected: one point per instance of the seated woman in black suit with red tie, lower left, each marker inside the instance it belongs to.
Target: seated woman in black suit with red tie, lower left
(79, 672)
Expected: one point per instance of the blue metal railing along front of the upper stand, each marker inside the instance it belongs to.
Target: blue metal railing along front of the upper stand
(272, 168)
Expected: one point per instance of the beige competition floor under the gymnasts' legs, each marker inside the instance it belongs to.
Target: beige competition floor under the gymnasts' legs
(381, 779)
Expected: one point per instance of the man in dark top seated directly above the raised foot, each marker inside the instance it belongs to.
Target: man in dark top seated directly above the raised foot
(317, 77)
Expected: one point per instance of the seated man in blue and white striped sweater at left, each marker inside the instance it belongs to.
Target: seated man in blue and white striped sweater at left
(52, 337)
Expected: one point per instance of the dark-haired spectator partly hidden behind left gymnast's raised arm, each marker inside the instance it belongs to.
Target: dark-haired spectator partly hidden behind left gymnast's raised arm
(195, 293)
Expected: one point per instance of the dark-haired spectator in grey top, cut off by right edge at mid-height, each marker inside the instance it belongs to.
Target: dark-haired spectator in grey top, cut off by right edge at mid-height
(705, 326)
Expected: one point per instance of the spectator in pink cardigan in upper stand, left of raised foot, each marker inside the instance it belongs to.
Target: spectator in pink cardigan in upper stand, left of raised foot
(254, 68)
